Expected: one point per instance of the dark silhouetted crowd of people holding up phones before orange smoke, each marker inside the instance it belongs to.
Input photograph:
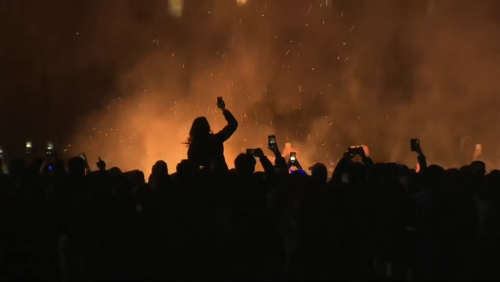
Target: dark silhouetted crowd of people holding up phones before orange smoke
(366, 221)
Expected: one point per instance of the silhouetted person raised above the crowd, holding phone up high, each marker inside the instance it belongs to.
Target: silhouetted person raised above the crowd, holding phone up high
(207, 149)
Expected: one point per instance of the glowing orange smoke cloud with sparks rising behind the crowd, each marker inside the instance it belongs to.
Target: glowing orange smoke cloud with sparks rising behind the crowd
(322, 77)
